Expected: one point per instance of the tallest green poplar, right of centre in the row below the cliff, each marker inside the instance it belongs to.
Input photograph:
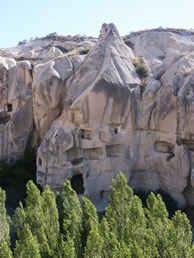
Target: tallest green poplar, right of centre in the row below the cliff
(127, 221)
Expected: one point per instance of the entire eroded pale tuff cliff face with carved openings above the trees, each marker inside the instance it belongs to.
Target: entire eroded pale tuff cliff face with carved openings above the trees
(92, 115)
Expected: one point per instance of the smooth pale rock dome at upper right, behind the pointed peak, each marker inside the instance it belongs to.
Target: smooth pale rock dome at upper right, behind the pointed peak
(161, 49)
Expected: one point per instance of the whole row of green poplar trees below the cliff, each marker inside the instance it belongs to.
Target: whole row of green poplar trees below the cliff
(62, 227)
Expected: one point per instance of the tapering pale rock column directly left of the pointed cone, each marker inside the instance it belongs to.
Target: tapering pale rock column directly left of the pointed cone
(48, 87)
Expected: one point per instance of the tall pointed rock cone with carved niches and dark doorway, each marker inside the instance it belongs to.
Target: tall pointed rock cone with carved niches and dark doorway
(89, 137)
